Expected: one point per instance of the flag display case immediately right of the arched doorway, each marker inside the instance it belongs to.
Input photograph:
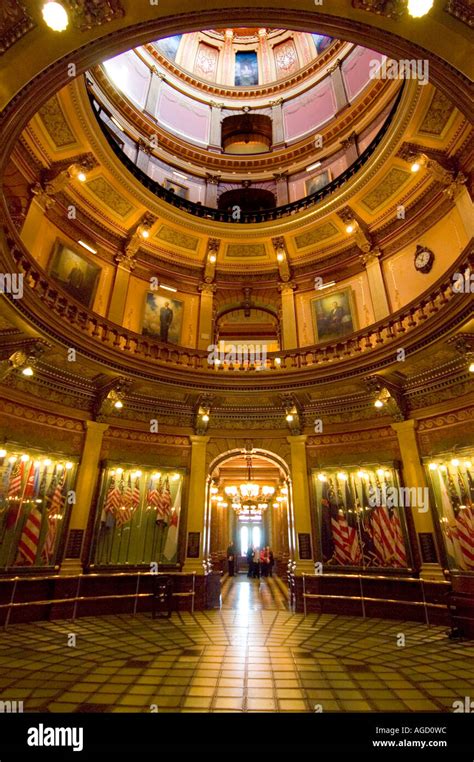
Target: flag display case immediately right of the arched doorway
(361, 518)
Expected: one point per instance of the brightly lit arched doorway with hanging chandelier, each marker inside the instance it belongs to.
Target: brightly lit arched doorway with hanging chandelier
(249, 504)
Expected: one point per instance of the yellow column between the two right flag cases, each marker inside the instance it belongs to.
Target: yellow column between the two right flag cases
(414, 476)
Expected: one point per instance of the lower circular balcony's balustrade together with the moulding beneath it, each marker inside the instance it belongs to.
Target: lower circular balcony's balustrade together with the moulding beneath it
(53, 311)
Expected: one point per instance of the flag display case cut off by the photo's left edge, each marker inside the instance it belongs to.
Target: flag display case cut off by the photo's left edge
(36, 495)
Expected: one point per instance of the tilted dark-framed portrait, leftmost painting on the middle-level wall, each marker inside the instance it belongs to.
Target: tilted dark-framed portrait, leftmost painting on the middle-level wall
(74, 272)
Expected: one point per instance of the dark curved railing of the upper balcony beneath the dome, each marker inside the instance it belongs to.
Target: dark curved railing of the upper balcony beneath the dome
(217, 215)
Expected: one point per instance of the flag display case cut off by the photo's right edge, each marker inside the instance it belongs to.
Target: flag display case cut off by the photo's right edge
(452, 483)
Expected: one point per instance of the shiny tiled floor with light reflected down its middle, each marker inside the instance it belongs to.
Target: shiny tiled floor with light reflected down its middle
(251, 656)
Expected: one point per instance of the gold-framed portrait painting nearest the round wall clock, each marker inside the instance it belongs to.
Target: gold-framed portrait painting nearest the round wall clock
(334, 315)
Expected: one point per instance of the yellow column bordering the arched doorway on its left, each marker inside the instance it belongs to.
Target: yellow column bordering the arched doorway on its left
(196, 519)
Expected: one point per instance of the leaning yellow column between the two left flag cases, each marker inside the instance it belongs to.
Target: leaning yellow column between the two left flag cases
(86, 482)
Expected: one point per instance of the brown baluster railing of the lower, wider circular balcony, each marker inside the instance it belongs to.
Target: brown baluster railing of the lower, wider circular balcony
(42, 301)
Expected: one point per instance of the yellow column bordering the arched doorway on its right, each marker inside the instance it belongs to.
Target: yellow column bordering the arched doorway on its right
(301, 503)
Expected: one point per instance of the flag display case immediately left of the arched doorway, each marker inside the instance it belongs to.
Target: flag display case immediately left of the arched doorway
(137, 518)
